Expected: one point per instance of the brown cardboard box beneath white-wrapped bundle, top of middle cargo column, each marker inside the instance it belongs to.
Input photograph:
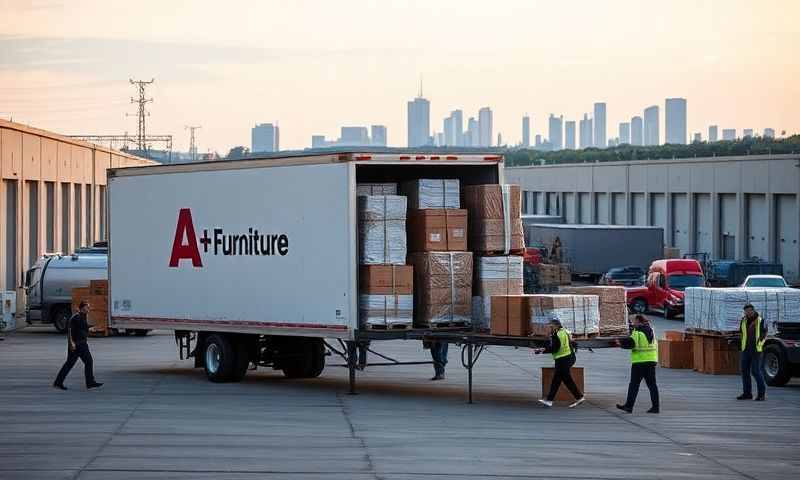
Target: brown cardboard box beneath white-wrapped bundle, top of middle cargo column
(437, 229)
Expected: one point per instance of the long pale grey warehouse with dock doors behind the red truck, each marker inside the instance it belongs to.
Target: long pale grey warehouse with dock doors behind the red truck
(729, 207)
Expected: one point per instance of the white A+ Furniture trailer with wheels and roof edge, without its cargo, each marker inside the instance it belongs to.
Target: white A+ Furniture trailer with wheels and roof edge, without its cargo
(253, 261)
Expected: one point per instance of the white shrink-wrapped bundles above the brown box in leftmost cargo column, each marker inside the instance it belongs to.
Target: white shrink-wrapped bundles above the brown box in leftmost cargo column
(382, 230)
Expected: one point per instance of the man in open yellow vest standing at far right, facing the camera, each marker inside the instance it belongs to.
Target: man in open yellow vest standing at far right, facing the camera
(753, 331)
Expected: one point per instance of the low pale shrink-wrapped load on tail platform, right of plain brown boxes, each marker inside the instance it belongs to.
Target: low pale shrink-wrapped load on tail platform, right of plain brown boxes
(578, 313)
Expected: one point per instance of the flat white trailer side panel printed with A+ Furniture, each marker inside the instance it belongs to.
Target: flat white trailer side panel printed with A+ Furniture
(257, 250)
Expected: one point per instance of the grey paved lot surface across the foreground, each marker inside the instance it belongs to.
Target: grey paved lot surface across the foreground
(156, 417)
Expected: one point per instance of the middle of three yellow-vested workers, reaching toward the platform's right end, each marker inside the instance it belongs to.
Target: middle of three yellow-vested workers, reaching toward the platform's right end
(644, 357)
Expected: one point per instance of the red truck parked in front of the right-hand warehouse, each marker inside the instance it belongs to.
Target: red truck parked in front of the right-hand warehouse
(666, 282)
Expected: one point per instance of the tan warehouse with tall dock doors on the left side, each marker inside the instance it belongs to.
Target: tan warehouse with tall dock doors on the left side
(52, 196)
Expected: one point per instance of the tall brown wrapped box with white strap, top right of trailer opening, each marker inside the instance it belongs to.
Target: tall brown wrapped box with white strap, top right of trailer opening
(495, 218)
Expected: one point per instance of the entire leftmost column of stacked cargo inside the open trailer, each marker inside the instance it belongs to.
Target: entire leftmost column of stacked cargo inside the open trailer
(385, 291)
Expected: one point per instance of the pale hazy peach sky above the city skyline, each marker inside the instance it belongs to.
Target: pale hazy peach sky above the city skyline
(314, 66)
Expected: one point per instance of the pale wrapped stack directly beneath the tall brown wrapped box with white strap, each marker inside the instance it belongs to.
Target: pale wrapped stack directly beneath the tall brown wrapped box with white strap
(494, 276)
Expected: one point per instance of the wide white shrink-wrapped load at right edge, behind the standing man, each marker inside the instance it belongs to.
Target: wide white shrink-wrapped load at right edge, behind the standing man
(720, 309)
